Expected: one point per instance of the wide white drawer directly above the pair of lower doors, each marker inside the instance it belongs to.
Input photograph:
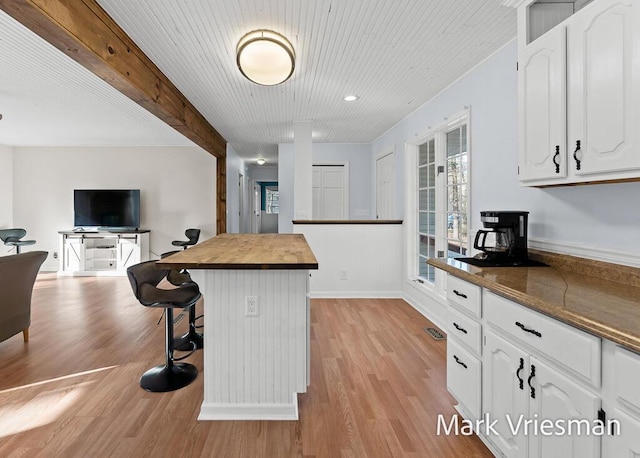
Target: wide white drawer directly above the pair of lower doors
(573, 349)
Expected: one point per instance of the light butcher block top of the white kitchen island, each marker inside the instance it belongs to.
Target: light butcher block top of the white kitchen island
(245, 251)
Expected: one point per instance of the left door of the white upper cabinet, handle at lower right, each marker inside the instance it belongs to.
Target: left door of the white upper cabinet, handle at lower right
(542, 107)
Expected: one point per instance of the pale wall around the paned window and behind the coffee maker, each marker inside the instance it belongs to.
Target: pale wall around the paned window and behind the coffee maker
(594, 220)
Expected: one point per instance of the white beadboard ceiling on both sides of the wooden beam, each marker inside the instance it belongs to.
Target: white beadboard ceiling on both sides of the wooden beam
(395, 55)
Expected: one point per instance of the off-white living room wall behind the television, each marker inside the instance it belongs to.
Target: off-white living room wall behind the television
(177, 190)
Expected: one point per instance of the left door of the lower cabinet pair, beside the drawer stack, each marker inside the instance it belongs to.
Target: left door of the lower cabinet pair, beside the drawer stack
(504, 395)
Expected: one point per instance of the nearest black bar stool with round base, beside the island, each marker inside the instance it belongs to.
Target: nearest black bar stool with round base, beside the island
(144, 278)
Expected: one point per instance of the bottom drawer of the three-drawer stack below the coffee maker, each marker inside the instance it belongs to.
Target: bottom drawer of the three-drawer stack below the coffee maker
(463, 377)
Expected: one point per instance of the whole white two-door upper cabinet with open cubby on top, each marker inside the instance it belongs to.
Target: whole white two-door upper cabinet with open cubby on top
(579, 88)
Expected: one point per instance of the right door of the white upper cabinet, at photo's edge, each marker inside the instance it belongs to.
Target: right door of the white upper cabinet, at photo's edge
(603, 75)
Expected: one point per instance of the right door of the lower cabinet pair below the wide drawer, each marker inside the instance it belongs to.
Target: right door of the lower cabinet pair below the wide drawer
(572, 410)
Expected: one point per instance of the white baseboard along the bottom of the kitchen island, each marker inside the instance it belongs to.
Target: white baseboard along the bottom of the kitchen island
(278, 412)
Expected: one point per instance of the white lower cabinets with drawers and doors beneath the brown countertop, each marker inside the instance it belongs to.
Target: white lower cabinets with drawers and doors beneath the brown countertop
(539, 388)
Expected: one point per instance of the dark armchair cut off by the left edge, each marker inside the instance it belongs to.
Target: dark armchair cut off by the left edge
(17, 276)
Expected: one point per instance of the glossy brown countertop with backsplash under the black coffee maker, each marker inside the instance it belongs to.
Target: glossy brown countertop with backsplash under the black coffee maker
(600, 298)
